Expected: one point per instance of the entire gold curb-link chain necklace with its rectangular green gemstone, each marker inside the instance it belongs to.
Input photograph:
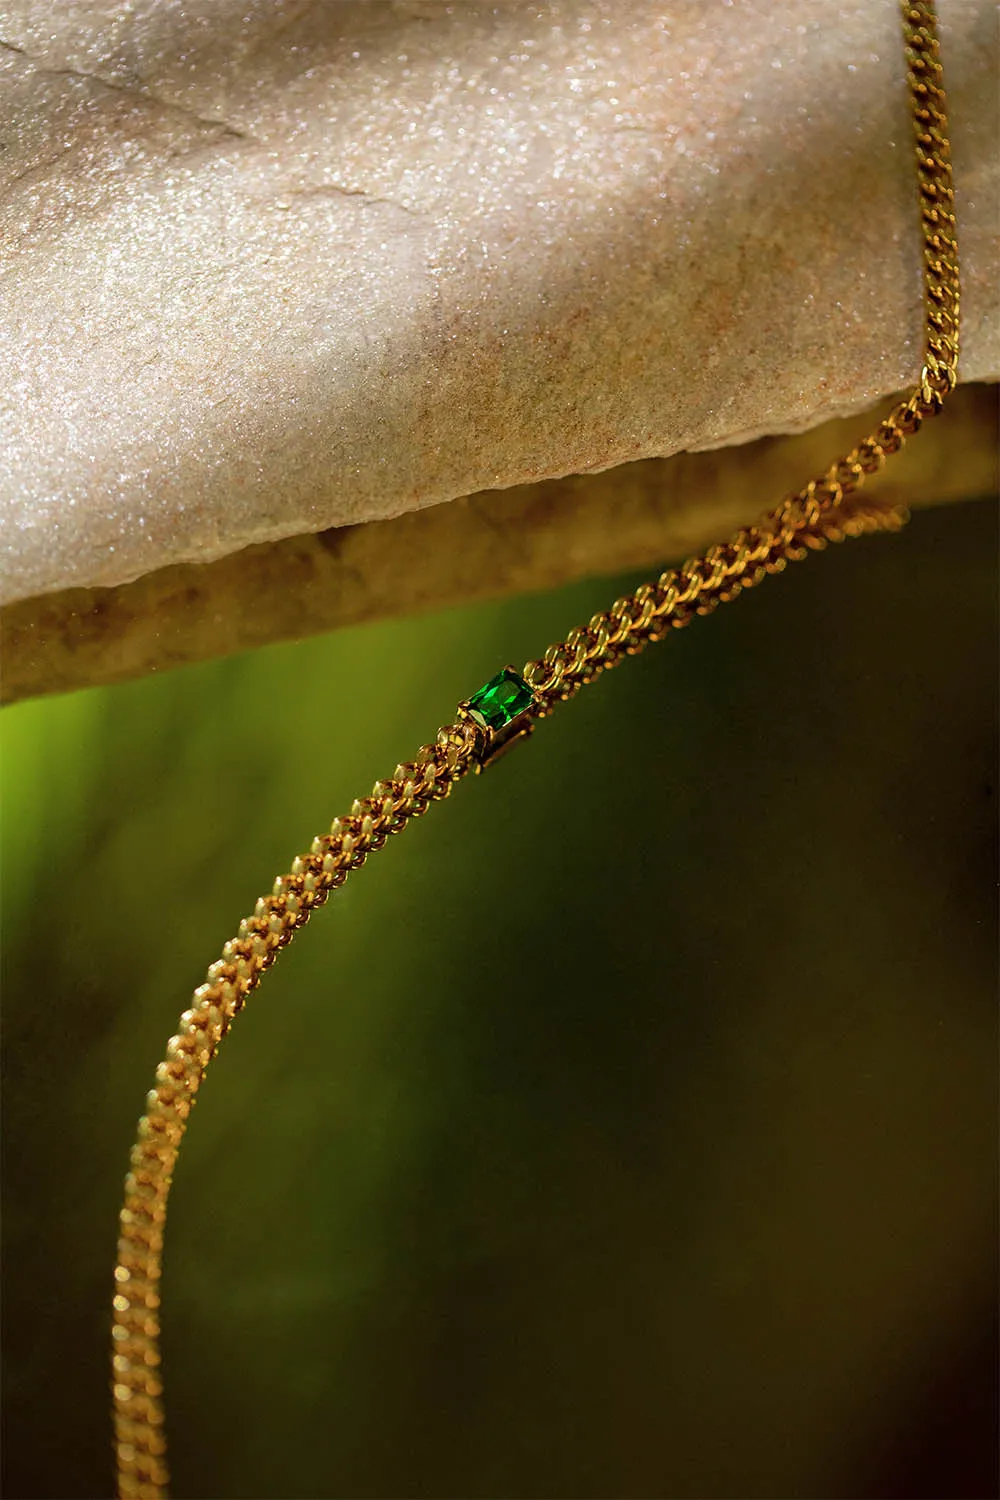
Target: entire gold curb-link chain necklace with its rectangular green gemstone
(827, 511)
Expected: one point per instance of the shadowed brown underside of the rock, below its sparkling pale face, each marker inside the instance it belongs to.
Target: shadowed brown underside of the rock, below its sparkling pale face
(525, 539)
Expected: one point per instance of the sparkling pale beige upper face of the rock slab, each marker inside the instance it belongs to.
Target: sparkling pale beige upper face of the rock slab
(277, 266)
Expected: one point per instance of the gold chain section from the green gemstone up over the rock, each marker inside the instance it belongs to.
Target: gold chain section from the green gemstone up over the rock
(825, 511)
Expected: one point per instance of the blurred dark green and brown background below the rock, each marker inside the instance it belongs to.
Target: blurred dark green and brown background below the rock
(627, 1129)
